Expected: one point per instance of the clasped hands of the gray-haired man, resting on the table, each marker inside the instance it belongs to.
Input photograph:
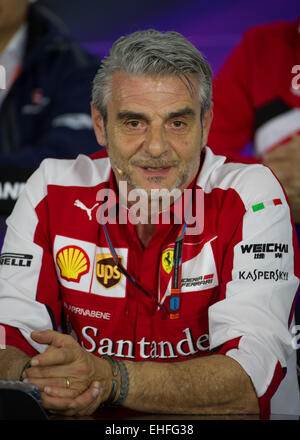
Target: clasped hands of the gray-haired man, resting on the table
(71, 380)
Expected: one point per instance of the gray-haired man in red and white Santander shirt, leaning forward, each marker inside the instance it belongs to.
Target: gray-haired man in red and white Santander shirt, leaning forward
(160, 317)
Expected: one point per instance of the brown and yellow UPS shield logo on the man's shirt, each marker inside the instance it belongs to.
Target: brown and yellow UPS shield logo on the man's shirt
(107, 272)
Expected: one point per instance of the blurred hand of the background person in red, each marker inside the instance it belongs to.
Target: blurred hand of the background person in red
(285, 162)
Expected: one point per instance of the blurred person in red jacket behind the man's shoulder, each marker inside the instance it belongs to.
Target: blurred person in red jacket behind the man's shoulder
(256, 98)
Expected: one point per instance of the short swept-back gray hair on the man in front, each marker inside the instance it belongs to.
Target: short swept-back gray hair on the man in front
(153, 53)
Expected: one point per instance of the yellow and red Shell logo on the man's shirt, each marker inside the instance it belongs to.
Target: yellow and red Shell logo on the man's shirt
(73, 262)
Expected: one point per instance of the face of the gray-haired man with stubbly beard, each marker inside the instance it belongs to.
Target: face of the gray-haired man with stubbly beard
(154, 131)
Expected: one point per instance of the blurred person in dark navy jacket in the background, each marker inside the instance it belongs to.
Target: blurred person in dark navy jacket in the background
(44, 96)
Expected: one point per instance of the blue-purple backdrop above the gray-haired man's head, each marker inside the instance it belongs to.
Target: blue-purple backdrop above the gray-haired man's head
(214, 26)
